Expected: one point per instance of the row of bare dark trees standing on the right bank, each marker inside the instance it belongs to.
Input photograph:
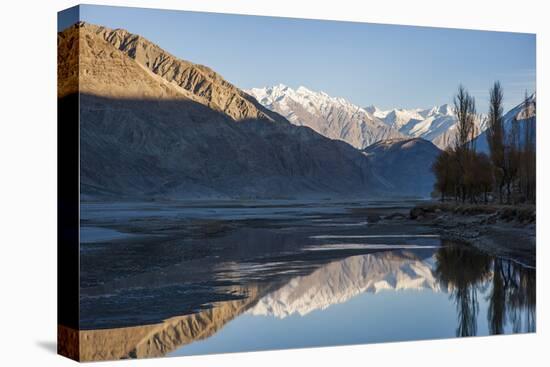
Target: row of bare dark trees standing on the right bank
(507, 173)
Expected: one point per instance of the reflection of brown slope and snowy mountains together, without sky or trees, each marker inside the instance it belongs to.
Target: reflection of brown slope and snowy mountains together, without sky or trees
(332, 283)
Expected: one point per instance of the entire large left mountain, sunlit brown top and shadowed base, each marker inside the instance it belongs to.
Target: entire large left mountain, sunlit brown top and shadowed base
(154, 125)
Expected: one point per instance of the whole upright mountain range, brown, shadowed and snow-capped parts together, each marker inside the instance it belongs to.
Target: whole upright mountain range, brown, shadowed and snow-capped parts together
(154, 125)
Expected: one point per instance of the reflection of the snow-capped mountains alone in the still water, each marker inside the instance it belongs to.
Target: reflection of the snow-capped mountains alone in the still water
(341, 280)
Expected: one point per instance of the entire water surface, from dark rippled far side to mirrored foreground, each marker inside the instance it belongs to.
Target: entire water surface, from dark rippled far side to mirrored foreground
(229, 278)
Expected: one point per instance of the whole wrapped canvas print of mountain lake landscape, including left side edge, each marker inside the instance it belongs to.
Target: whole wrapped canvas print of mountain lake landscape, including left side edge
(234, 183)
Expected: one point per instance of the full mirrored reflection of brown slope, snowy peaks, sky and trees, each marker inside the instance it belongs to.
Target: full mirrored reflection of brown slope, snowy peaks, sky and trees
(451, 290)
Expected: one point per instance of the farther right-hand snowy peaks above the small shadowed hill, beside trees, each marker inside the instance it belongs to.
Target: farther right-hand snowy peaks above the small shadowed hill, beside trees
(437, 124)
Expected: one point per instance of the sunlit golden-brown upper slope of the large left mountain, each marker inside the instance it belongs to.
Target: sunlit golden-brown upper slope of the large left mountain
(108, 73)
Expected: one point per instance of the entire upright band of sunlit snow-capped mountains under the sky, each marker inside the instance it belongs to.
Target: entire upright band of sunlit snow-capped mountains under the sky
(338, 118)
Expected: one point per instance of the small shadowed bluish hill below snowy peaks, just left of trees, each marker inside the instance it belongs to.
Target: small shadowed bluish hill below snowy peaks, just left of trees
(404, 165)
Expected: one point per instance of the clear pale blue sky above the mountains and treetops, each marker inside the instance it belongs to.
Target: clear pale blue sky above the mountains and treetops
(386, 65)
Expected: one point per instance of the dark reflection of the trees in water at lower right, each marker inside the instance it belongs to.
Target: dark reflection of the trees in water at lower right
(465, 272)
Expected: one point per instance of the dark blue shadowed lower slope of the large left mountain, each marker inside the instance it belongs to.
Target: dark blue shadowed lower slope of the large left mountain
(180, 148)
